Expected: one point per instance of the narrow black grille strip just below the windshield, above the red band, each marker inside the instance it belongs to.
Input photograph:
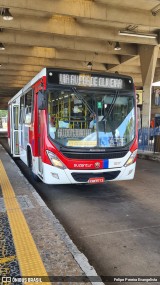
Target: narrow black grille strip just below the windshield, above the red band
(94, 155)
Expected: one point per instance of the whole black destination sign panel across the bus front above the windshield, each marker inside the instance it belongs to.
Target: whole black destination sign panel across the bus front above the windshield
(88, 80)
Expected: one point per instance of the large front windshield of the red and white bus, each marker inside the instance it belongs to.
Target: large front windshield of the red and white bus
(85, 118)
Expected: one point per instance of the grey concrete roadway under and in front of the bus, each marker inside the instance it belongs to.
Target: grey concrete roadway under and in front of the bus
(116, 225)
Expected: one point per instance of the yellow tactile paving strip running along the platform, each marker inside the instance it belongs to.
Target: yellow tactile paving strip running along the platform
(28, 256)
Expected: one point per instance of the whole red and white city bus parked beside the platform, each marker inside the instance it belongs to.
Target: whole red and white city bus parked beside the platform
(74, 127)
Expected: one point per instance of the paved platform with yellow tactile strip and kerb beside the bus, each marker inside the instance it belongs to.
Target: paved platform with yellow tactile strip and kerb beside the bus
(34, 246)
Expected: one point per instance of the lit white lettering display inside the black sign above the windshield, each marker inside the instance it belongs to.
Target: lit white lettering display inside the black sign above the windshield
(90, 81)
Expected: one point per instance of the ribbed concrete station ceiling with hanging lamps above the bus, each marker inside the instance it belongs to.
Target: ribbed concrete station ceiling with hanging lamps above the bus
(102, 35)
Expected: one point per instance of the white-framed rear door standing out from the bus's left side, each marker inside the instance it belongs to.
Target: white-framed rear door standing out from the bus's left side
(14, 130)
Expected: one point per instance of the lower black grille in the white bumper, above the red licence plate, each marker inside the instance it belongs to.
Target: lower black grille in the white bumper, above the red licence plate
(84, 177)
